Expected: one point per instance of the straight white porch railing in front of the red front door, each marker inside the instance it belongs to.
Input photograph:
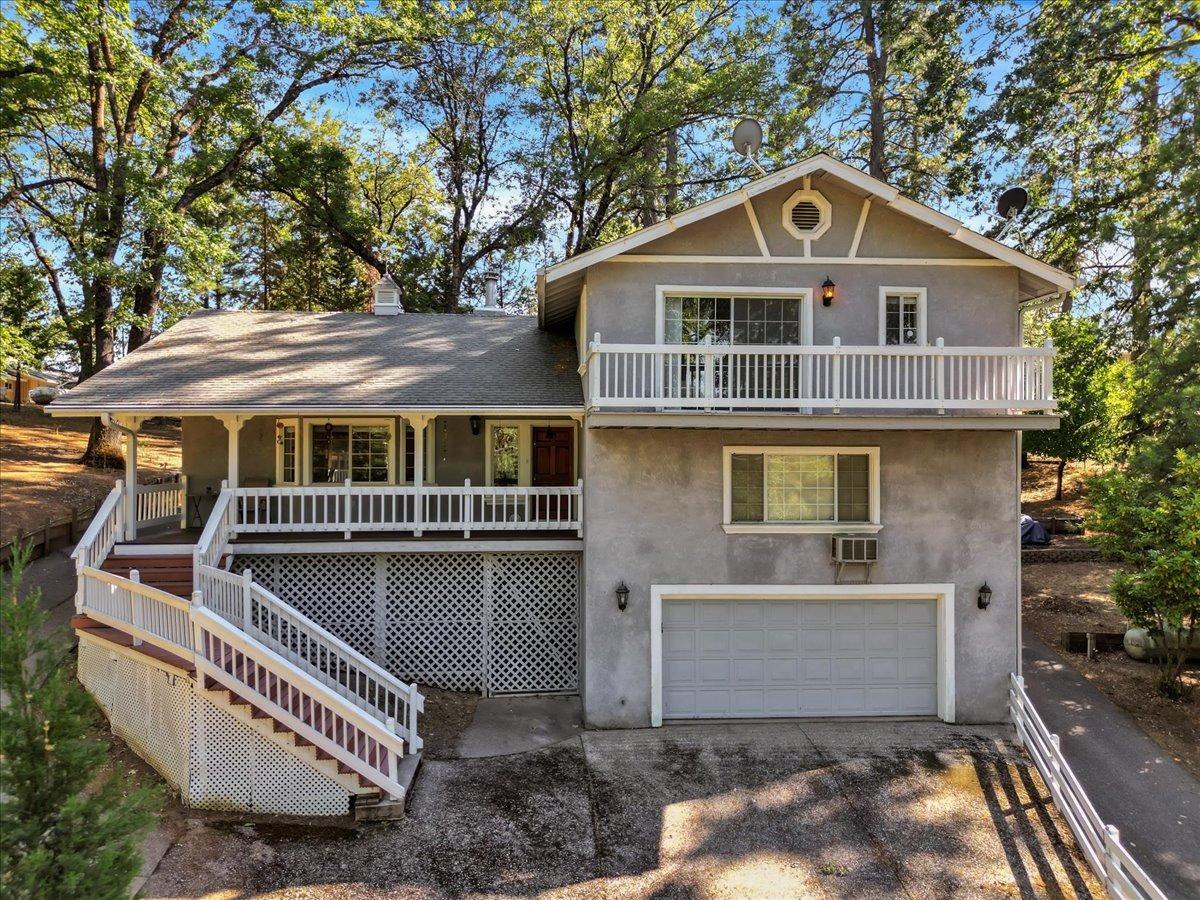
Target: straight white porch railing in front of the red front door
(405, 508)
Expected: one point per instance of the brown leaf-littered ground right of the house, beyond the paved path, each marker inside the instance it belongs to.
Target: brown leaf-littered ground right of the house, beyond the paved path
(1075, 597)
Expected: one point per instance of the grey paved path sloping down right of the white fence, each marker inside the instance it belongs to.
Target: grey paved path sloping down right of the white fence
(1132, 782)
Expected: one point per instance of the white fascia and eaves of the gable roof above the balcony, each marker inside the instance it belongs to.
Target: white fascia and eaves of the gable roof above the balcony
(561, 283)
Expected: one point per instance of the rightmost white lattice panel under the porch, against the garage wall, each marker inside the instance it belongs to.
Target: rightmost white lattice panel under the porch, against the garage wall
(535, 632)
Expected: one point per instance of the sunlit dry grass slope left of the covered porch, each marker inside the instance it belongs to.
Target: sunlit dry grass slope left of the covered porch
(41, 477)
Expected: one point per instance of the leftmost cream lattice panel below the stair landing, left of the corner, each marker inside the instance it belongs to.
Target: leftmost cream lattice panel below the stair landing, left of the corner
(147, 707)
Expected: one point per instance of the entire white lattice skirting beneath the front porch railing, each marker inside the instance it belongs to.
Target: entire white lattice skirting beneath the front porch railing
(497, 623)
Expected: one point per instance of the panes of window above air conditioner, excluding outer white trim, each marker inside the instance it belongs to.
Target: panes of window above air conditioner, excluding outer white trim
(800, 487)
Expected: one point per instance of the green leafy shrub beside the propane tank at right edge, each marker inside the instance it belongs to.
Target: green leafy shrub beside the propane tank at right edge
(1154, 526)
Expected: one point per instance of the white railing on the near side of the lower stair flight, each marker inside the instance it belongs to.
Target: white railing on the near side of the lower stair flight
(293, 698)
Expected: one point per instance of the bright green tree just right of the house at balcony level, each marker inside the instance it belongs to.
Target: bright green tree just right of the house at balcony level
(1089, 386)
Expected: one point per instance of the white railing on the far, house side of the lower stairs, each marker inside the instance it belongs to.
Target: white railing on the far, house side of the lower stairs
(322, 655)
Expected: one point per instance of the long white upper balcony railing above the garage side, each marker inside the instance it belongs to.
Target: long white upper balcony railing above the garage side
(820, 379)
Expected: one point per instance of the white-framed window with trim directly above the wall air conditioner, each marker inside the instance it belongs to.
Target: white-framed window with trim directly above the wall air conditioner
(790, 489)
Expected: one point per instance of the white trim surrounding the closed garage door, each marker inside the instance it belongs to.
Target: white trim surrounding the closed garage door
(943, 593)
